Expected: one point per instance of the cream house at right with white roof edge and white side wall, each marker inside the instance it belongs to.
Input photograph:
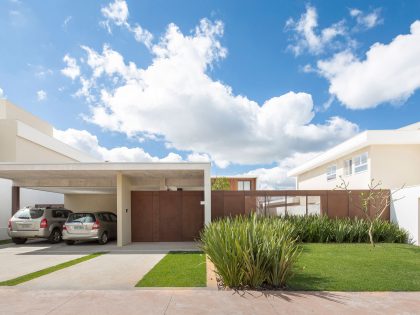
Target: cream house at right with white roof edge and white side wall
(389, 156)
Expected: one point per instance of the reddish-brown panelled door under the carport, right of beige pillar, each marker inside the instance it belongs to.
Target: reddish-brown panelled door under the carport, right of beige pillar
(166, 216)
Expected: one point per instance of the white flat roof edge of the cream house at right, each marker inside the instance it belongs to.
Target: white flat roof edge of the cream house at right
(360, 141)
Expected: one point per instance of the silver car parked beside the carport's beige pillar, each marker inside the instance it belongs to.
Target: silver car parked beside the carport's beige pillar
(98, 226)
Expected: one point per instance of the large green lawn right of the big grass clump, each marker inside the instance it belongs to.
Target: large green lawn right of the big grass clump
(357, 267)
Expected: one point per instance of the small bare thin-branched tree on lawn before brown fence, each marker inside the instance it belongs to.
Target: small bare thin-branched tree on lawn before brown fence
(373, 203)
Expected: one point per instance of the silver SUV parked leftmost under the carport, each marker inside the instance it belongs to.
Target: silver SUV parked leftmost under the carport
(31, 222)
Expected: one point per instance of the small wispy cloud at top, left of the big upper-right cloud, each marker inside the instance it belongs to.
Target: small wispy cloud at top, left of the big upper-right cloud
(308, 37)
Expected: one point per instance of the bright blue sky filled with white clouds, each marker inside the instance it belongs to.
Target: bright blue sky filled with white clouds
(255, 87)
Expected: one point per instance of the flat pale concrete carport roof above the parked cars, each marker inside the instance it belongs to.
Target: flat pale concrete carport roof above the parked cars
(95, 174)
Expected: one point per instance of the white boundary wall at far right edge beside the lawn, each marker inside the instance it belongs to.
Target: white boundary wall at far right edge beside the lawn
(405, 211)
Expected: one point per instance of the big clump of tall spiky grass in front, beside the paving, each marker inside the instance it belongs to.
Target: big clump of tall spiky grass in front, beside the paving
(251, 251)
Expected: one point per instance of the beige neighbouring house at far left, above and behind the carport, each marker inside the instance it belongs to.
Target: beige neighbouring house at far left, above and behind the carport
(25, 138)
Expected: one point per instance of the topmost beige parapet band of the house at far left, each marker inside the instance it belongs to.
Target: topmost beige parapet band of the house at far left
(11, 111)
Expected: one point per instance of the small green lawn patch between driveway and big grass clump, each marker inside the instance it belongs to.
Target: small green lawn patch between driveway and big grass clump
(177, 269)
